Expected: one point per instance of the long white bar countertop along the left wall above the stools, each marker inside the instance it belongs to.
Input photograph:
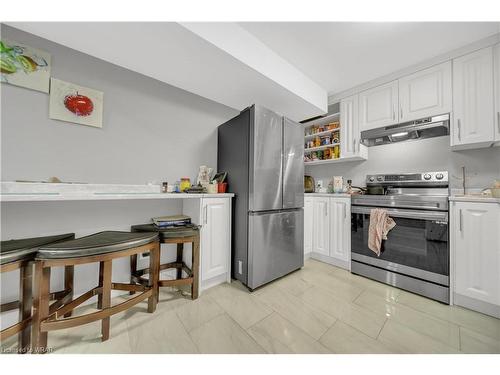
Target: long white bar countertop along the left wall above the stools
(41, 192)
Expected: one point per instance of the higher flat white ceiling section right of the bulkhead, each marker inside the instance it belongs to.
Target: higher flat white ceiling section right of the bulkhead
(341, 55)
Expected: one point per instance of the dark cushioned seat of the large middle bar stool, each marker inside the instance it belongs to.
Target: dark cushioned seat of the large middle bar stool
(98, 243)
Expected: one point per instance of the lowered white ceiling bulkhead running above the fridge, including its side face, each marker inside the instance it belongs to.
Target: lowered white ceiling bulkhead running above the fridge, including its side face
(219, 61)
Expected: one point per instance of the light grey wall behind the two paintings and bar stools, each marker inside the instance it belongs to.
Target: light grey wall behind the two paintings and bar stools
(151, 132)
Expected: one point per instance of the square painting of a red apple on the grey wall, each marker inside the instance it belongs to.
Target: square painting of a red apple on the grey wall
(73, 103)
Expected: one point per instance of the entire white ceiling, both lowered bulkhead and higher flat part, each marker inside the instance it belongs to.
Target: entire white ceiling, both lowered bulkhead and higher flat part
(289, 67)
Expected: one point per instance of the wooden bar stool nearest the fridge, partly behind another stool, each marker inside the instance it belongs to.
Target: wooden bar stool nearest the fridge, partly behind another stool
(179, 236)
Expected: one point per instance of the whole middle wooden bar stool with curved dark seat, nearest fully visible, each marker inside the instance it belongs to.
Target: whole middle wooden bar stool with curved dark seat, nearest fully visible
(101, 247)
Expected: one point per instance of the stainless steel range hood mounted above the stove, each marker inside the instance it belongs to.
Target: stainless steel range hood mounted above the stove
(428, 127)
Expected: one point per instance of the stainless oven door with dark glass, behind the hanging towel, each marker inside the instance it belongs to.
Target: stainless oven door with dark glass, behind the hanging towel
(417, 246)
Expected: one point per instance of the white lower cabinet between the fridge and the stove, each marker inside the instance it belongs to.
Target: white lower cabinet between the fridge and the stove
(327, 230)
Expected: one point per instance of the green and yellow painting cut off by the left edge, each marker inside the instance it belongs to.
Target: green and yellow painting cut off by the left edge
(22, 65)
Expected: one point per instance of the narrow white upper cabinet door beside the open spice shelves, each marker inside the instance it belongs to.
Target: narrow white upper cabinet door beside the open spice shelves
(349, 127)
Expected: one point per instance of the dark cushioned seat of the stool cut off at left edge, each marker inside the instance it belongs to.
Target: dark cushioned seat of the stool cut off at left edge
(26, 248)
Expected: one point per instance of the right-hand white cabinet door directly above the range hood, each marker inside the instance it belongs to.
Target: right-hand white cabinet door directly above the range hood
(425, 93)
